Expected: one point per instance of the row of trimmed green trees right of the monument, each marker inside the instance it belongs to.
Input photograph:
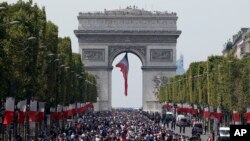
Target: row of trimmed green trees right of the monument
(219, 82)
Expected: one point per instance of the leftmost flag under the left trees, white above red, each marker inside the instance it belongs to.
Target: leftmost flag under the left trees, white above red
(9, 110)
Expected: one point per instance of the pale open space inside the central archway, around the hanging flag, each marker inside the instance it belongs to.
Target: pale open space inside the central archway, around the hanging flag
(134, 97)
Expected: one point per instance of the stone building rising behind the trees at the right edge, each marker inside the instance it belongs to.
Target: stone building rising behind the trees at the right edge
(240, 44)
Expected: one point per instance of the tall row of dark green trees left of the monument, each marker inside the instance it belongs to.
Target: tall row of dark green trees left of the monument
(37, 64)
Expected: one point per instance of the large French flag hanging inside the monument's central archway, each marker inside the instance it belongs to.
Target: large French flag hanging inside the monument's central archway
(124, 65)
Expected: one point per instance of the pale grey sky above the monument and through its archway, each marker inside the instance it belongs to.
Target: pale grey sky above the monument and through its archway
(205, 24)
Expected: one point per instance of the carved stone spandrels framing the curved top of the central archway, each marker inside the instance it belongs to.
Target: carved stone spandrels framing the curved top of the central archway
(140, 52)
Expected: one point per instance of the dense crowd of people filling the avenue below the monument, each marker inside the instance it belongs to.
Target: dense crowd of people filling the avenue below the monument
(116, 125)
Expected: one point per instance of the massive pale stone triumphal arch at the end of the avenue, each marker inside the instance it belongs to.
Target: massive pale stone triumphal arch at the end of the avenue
(152, 36)
